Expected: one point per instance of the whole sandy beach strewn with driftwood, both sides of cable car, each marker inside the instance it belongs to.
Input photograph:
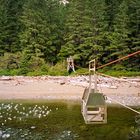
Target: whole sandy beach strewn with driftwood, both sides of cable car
(68, 88)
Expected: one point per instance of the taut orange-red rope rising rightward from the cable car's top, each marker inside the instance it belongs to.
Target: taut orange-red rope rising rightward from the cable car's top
(129, 55)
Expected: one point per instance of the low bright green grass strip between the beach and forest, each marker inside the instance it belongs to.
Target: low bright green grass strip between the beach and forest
(58, 70)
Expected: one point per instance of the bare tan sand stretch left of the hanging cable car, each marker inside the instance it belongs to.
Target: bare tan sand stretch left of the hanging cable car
(31, 88)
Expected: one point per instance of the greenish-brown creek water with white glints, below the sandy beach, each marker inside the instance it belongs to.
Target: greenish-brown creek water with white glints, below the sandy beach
(59, 121)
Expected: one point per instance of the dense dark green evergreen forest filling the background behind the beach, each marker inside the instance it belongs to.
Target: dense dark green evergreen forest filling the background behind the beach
(39, 35)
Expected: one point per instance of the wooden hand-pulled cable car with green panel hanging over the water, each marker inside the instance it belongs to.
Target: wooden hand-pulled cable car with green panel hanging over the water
(93, 108)
